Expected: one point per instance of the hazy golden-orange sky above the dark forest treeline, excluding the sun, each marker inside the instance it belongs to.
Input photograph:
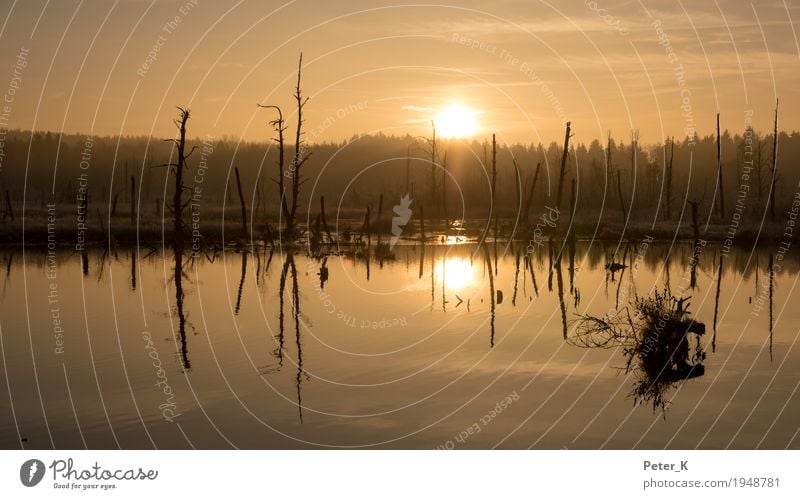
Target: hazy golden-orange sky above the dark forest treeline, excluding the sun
(372, 65)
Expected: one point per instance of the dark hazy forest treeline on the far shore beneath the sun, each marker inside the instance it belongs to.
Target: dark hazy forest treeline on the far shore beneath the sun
(52, 168)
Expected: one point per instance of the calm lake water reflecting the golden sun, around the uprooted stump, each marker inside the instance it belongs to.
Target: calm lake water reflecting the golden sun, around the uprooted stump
(457, 346)
